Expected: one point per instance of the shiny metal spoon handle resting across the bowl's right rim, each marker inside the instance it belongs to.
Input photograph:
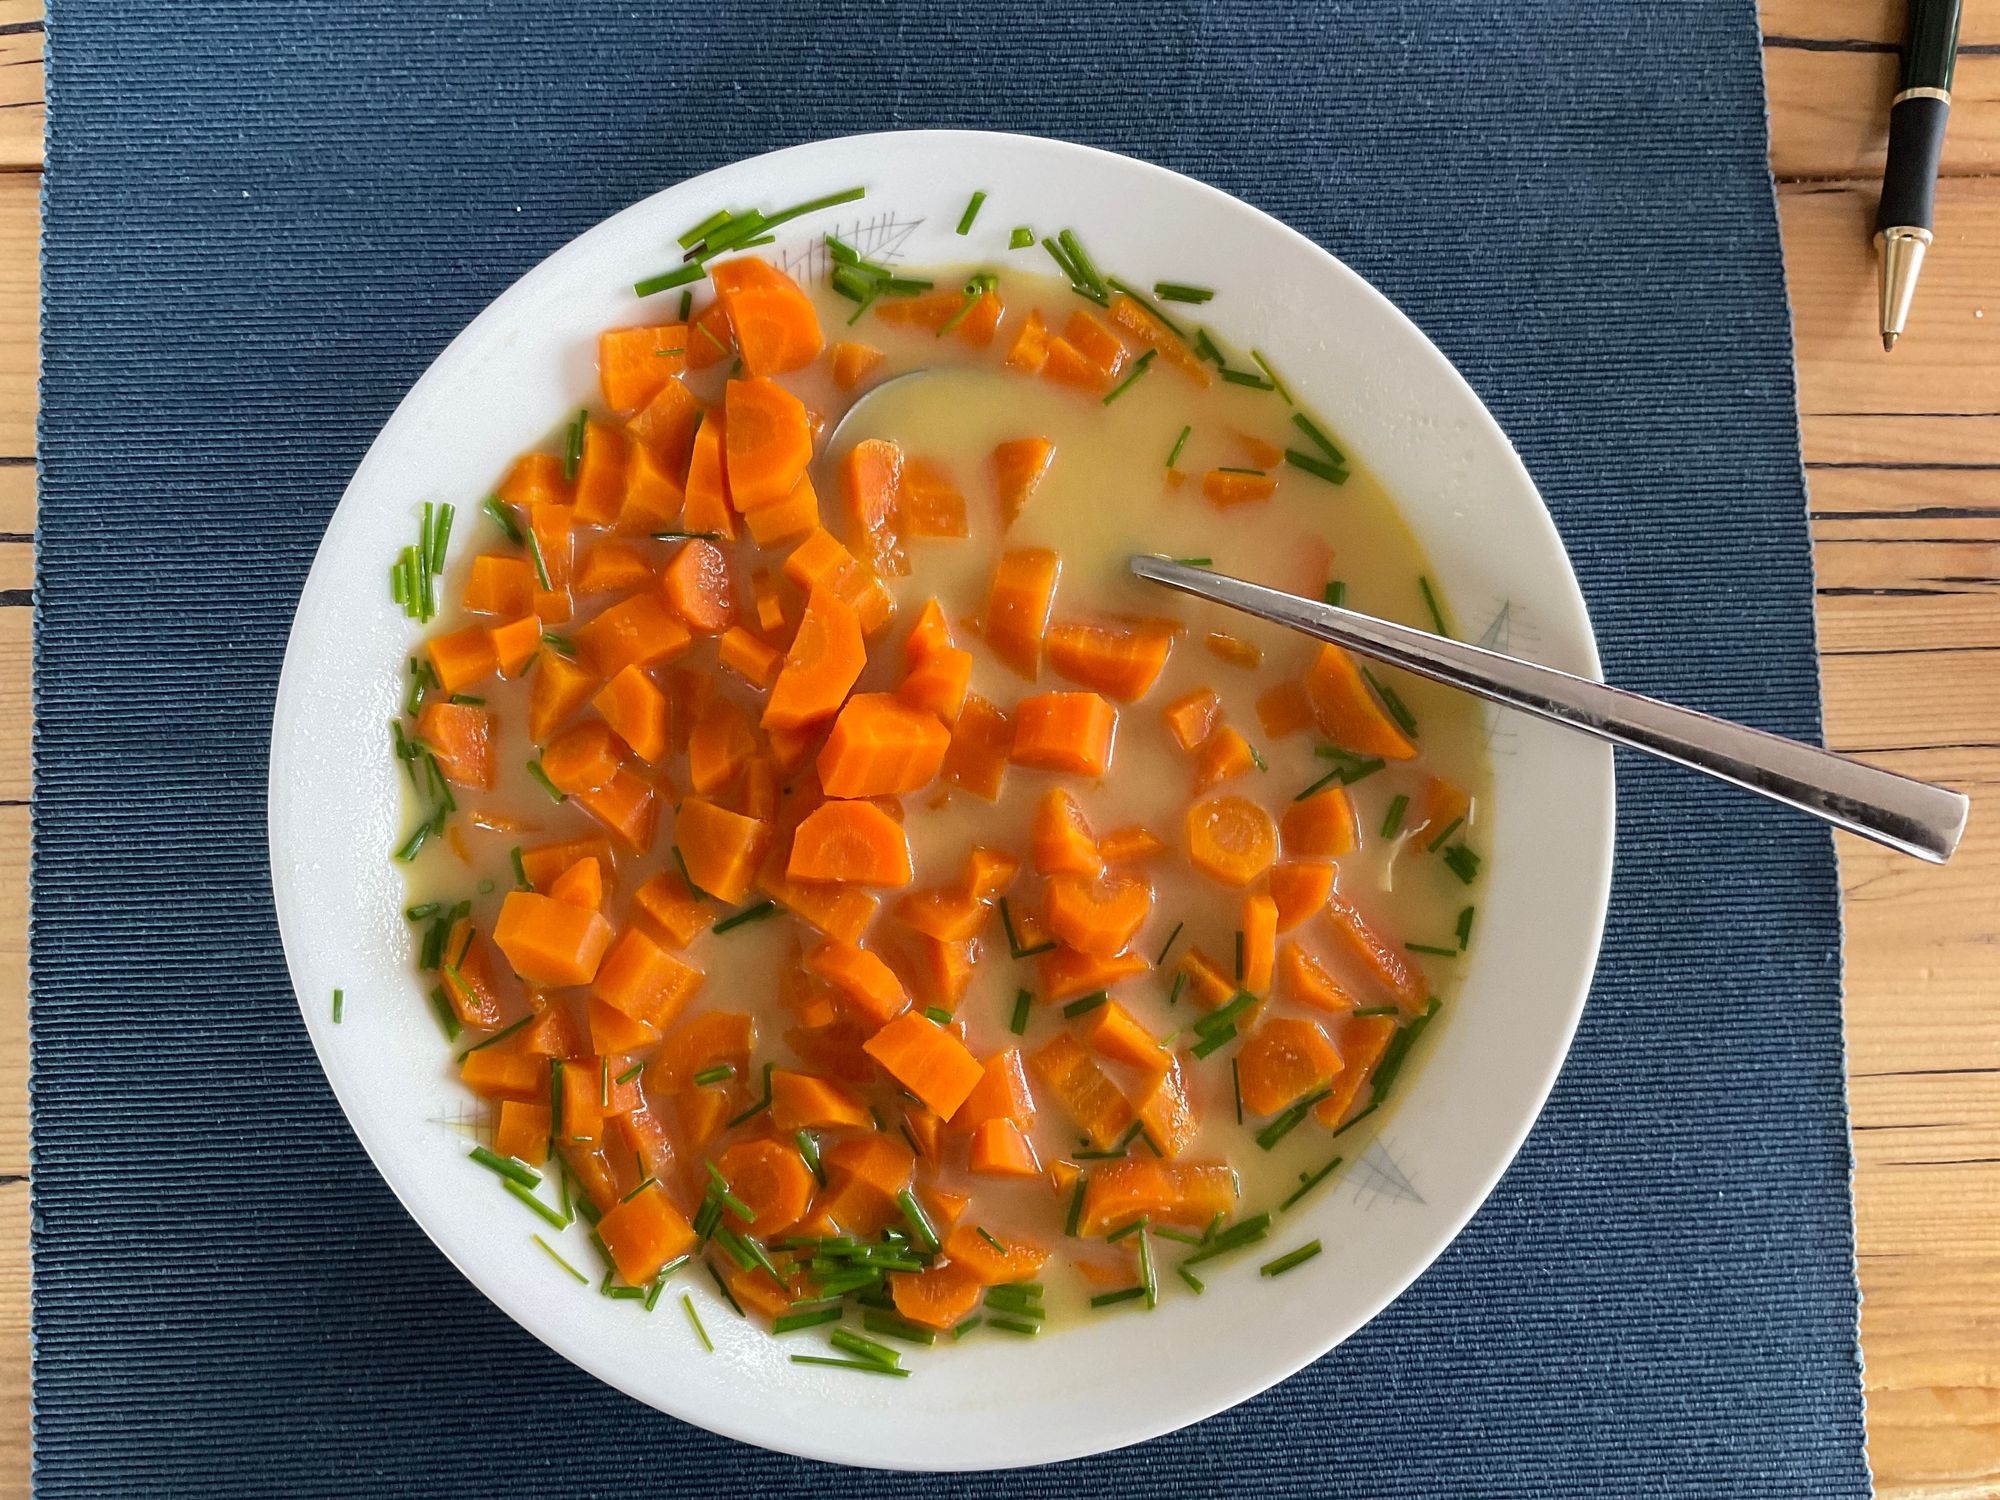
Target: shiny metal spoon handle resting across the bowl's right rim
(1907, 815)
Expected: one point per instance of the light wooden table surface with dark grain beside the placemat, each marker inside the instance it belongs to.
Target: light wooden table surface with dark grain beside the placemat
(1903, 457)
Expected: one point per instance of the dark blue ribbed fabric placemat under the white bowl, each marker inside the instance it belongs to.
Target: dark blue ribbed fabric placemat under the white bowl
(267, 219)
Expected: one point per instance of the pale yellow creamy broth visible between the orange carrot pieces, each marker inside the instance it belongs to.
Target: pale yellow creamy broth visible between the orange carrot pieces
(1107, 495)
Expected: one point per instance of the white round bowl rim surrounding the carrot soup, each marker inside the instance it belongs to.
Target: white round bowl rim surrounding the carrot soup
(1459, 1119)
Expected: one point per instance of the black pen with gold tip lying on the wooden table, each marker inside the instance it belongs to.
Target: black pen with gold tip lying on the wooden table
(1915, 145)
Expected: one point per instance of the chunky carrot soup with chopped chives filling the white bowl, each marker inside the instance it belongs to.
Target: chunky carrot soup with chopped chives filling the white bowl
(839, 873)
